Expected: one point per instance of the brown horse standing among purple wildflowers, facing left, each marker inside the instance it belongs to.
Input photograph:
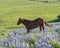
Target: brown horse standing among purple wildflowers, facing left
(33, 24)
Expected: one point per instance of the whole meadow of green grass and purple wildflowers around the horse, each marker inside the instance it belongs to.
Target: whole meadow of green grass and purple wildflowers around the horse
(14, 36)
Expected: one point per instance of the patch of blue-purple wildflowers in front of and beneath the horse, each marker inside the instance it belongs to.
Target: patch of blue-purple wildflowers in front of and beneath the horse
(18, 38)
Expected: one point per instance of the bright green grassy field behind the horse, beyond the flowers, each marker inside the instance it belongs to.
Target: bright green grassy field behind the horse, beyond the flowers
(11, 10)
